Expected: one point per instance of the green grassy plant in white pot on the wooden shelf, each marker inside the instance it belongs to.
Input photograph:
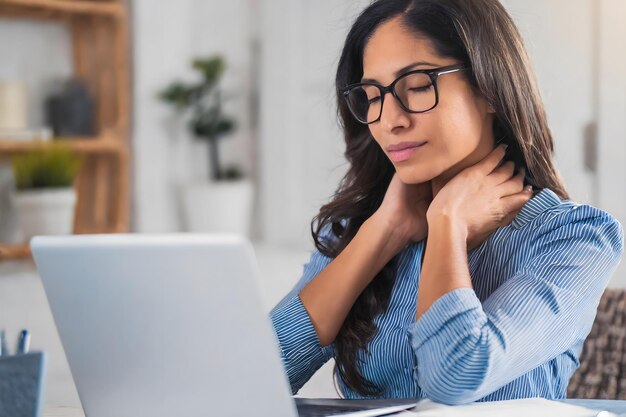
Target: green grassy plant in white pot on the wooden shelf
(44, 196)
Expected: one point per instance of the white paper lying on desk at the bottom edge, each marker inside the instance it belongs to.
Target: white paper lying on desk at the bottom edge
(535, 407)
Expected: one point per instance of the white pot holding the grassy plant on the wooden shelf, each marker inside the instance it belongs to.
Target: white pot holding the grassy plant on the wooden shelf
(45, 211)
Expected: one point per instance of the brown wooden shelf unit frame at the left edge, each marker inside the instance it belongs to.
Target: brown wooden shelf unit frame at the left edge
(101, 59)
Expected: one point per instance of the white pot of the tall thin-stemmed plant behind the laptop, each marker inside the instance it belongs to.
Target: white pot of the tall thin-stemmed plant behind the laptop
(218, 207)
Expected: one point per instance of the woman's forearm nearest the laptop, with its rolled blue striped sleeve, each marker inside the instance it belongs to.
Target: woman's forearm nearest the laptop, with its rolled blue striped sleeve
(307, 320)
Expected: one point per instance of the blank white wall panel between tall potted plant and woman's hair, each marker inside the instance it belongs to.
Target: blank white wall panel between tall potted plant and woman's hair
(301, 143)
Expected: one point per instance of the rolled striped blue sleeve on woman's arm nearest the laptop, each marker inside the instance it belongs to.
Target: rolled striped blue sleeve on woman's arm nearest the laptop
(301, 351)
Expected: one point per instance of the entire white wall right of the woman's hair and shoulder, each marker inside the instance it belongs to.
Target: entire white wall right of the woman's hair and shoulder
(580, 58)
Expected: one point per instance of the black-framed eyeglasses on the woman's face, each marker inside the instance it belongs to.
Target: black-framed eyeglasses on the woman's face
(416, 92)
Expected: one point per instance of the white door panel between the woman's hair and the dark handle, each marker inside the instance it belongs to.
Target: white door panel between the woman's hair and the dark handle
(560, 38)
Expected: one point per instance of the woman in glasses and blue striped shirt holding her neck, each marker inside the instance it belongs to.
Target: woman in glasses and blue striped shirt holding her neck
(450, 263)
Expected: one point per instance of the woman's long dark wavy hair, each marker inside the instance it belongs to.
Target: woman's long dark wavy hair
(480, 34)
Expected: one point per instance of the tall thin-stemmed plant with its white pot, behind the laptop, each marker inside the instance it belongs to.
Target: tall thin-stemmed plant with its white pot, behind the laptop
(224, 203)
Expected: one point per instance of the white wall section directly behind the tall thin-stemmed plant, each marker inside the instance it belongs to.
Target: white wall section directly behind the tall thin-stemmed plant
(167, 36)
